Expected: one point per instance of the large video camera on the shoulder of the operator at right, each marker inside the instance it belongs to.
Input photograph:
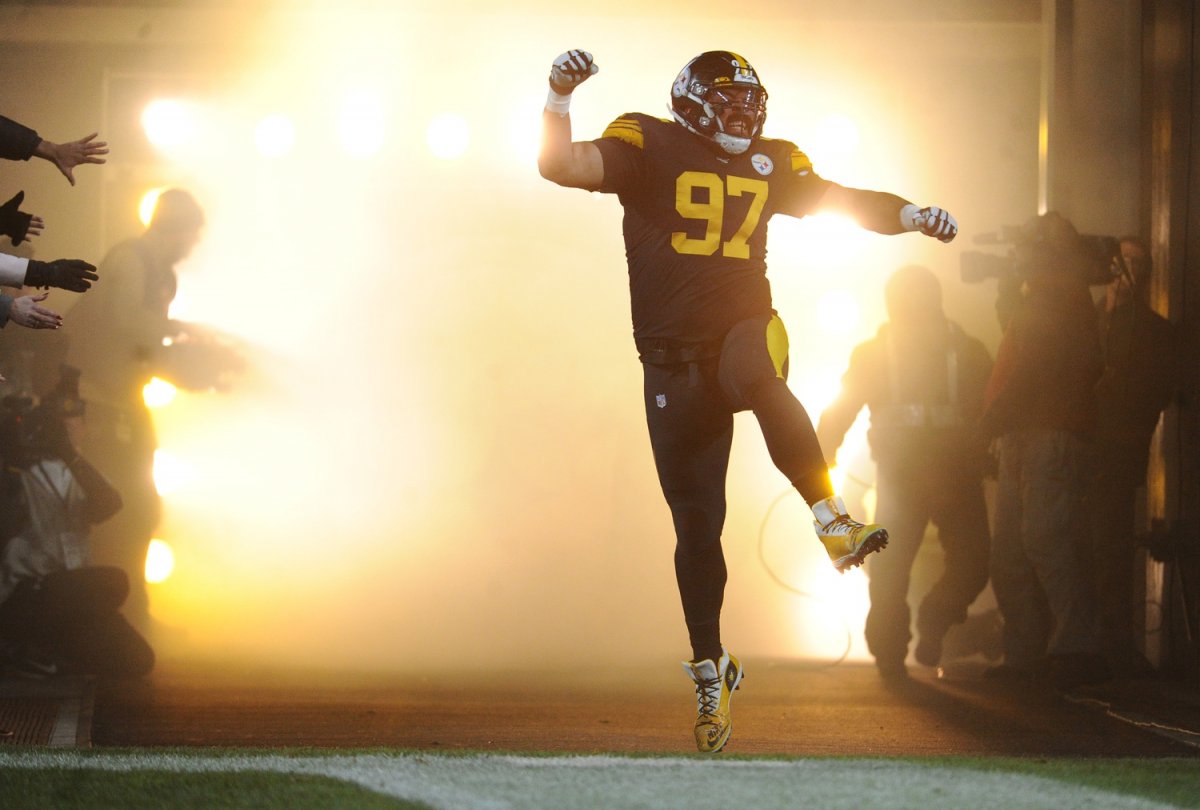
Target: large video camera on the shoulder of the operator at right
(1046, 244)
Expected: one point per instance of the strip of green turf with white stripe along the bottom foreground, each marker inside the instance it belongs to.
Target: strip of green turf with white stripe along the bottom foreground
(298, 781)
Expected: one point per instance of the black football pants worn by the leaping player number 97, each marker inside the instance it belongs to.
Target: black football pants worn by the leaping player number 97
(689, 410)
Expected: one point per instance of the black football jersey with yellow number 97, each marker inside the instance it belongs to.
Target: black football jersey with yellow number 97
(695, 224)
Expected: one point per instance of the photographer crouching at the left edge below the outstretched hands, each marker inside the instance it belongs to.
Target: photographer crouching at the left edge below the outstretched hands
(58, 615)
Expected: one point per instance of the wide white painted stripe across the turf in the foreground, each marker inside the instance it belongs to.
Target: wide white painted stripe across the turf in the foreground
(503, 782)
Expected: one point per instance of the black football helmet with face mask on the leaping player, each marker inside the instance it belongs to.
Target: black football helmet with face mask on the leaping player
(718, 97)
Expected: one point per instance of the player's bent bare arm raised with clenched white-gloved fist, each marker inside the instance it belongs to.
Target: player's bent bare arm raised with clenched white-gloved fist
(577, 165)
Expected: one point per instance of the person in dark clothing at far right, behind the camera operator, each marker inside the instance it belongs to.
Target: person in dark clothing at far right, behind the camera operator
(1141, 365)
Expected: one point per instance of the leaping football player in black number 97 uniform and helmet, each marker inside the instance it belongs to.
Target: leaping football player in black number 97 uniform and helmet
(698, 191)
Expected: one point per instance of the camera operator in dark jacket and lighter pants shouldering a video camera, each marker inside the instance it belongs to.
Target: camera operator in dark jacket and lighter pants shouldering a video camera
(1041, 407)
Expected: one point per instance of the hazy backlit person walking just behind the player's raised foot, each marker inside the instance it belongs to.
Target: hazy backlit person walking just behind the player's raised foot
(923, 380)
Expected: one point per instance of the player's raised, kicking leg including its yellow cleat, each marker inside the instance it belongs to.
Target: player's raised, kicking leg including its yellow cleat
(754, 376)
